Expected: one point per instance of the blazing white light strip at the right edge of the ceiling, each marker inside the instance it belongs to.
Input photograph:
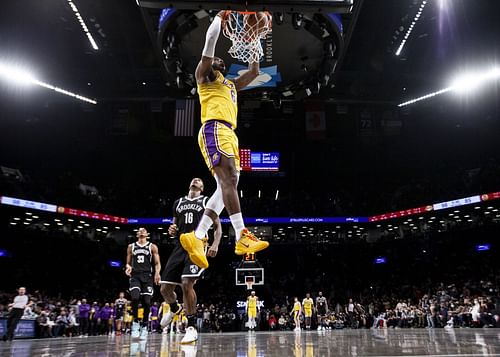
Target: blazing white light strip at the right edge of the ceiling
(463, 83)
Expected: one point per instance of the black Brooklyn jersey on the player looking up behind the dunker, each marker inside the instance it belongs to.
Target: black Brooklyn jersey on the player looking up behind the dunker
(188, 213)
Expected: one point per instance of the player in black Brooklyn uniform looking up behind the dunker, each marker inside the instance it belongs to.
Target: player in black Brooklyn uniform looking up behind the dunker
(180, 270)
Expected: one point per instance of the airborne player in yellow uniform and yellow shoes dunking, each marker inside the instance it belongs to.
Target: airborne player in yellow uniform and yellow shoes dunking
(219, 147)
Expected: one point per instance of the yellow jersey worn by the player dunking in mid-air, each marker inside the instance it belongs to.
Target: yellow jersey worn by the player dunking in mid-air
(218, 100)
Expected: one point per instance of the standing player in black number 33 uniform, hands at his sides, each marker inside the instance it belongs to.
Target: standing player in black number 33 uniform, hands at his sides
(140, 258)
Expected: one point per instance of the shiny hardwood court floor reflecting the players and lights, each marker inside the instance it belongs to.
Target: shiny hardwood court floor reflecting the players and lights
(404, 342)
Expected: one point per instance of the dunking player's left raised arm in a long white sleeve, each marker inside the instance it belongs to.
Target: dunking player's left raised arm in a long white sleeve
(204, 72)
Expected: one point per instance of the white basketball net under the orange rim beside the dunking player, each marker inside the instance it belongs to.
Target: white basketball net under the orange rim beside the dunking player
(245, 36)
